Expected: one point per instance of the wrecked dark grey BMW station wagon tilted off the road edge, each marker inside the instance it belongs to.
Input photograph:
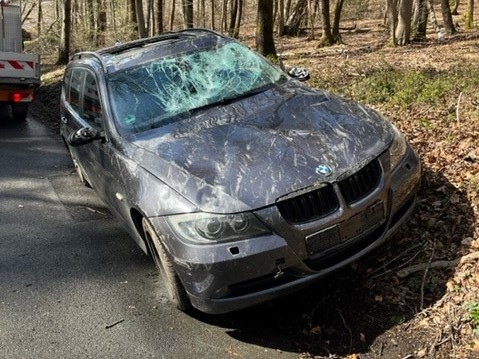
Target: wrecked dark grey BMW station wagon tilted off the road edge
(241, 182)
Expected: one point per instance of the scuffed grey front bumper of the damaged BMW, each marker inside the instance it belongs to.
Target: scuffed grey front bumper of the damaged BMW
(230, 276)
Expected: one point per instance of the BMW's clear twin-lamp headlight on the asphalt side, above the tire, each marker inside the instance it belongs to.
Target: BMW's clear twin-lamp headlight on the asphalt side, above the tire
(208, 228)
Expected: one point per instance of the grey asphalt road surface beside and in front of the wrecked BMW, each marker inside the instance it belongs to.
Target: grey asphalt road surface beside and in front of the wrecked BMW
(74, 285)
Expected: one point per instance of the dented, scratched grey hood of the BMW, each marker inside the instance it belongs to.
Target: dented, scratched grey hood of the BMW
(246, 154)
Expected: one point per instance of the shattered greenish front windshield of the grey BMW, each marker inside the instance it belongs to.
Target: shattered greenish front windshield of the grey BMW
(158, 92)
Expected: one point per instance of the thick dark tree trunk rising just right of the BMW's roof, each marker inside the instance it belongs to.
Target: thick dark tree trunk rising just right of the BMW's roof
(264, 30)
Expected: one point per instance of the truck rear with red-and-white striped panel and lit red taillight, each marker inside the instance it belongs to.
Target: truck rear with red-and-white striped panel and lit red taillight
(19, 71)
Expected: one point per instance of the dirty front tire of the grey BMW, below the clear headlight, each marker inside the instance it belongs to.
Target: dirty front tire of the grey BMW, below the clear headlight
(175, 290)
